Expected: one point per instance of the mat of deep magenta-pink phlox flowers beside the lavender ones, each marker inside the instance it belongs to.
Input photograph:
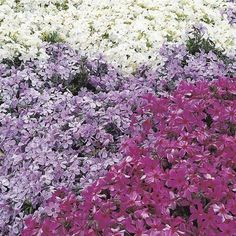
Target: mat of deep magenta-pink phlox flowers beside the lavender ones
(179, 177)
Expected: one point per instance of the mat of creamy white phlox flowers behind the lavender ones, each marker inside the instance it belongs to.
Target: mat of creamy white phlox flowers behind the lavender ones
(127, 32)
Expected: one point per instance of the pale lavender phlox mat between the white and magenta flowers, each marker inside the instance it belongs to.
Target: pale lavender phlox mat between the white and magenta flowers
(62, 120)
